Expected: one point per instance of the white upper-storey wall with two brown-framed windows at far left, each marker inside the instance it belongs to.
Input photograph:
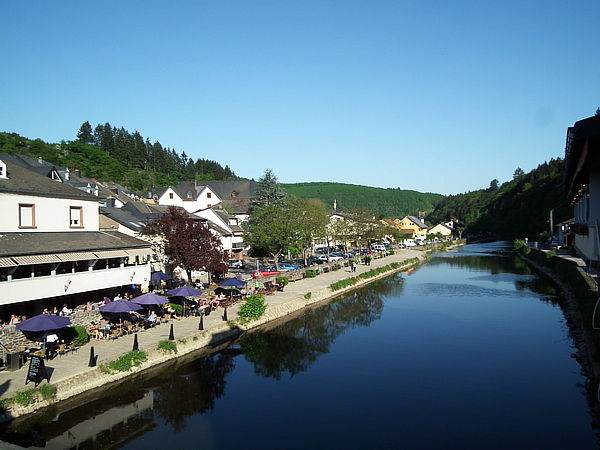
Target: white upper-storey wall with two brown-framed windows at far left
(32, 214)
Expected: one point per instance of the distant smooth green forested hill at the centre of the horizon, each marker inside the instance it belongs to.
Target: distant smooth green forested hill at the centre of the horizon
(388, 203)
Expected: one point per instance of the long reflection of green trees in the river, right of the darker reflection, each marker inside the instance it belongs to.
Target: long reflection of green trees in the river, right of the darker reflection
(293, 347)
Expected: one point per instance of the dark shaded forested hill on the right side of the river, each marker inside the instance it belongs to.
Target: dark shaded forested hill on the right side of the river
(519, 207)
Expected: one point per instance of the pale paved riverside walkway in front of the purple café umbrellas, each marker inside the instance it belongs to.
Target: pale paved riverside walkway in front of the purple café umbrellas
(73, 367)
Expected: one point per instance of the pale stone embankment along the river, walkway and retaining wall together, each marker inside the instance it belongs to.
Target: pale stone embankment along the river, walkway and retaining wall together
(76, 381)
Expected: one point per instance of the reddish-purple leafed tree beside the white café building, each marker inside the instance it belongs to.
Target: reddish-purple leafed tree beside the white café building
(188, 243)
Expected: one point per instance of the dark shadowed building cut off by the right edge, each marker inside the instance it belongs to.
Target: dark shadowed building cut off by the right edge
(581, 180)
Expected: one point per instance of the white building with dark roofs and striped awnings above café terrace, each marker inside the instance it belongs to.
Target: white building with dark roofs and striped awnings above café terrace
(52, 251)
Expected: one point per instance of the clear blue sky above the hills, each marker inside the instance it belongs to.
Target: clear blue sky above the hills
(432, 96)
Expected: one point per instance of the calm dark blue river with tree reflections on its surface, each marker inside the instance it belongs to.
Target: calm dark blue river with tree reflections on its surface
(469, 351)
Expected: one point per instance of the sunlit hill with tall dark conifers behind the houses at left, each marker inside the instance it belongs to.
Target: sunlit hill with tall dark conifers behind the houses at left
(110, 154)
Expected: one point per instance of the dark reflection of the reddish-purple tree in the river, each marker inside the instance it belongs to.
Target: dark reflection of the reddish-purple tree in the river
(193, 390)
